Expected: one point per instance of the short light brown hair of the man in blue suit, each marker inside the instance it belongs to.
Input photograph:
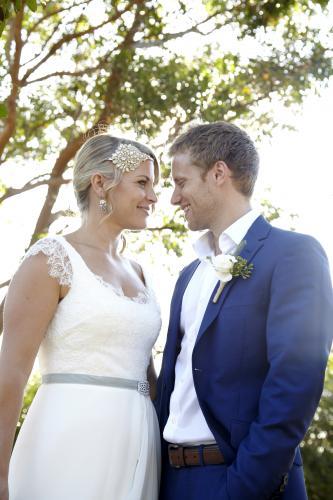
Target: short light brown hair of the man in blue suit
(220, 141)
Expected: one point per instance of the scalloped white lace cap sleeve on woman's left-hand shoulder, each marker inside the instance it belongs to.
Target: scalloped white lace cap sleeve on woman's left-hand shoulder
(58, 262)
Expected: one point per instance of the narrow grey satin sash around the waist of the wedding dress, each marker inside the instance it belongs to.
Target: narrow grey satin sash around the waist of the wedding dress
(80, 378)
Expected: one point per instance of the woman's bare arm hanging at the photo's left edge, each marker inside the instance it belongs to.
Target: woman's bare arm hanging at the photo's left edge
(31, 301)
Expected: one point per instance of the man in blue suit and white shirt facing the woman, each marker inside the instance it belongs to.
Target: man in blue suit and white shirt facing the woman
(242, 375)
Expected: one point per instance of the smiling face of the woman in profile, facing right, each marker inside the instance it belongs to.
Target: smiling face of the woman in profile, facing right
(133, 198)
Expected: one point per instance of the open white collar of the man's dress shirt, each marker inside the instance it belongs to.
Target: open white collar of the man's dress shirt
(229, 239)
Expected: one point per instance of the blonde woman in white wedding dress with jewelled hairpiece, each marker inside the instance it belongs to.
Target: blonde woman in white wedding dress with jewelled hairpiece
(91, 432)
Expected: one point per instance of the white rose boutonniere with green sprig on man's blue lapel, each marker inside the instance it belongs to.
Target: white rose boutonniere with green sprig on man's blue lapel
(229, 266)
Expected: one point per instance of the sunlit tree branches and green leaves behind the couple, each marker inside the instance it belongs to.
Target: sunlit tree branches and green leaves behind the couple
(69, 67)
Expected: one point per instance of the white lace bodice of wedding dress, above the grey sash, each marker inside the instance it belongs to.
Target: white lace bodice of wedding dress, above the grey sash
(96, 329)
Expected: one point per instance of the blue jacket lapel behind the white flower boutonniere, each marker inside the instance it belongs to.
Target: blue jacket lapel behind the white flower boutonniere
(254, 238)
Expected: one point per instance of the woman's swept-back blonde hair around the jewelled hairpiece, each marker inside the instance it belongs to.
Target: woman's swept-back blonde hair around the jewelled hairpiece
(92, 158)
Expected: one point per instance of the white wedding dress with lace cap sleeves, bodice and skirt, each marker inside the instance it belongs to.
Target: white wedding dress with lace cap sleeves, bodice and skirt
(82, 441)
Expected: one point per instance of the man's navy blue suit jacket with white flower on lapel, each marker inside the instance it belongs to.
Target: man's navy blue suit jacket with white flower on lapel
(259, 359)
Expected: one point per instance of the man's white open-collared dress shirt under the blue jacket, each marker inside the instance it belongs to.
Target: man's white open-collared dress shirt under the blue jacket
(186, 423)
